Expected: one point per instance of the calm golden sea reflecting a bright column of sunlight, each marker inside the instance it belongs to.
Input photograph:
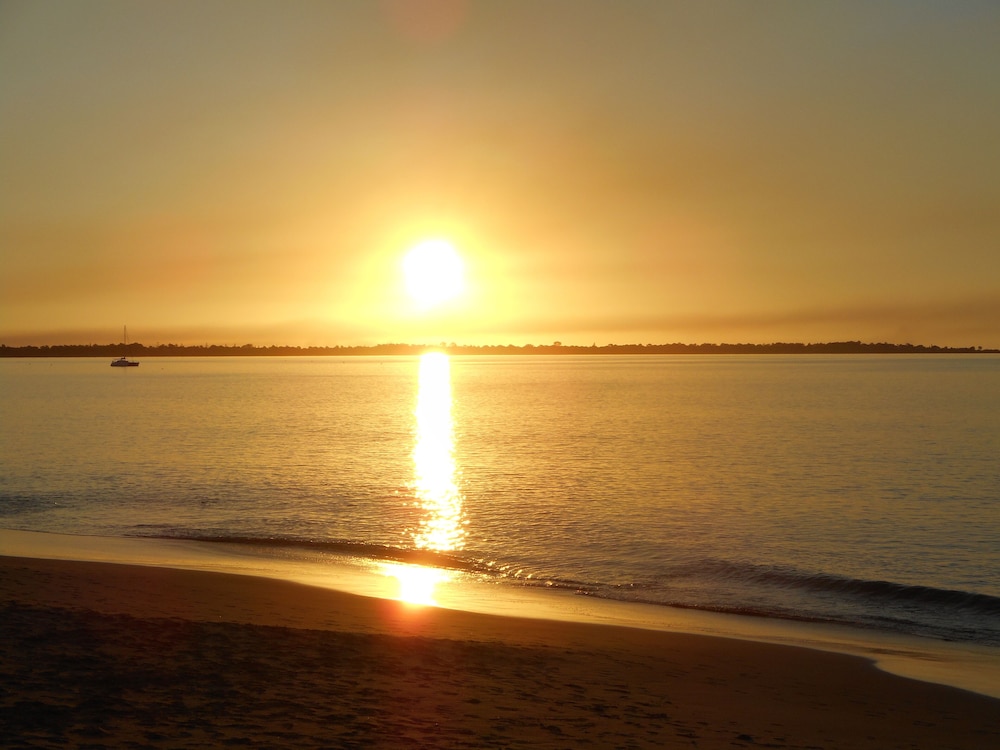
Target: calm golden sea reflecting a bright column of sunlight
(853, 489)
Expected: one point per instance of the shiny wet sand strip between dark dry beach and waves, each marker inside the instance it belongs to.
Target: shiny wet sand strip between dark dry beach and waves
(963, 666)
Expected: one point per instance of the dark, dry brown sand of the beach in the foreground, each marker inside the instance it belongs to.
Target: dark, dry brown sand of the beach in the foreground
(97, 655)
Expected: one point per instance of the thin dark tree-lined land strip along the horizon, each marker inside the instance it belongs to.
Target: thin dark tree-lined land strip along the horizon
(249, 350)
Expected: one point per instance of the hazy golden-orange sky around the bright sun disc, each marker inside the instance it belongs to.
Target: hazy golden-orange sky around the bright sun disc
(613, 172)
